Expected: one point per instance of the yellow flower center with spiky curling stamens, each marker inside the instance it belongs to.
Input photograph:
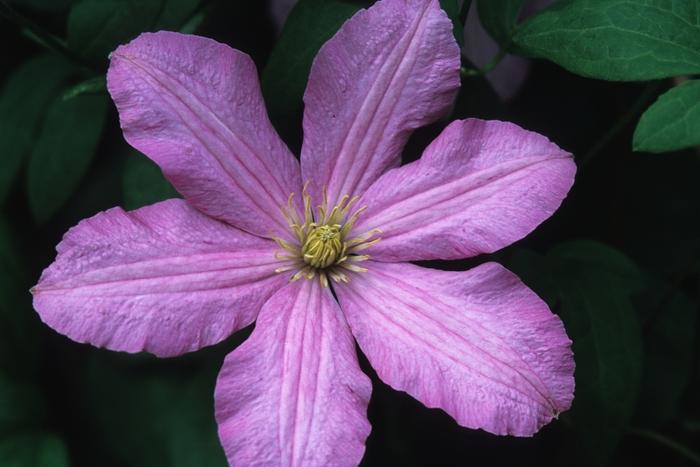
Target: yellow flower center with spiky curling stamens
(323, 245)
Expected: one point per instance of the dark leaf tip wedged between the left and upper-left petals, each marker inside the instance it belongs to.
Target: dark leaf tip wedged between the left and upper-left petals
(144, 183)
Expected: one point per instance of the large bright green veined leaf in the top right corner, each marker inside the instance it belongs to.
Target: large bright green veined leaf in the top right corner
(616, 39)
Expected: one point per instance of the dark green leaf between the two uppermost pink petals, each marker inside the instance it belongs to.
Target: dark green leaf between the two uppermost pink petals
(310, 24)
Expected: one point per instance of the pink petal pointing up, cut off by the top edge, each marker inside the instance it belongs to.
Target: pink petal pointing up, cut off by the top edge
(388, 70)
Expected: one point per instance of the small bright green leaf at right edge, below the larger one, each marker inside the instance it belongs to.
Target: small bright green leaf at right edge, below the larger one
(672, 122)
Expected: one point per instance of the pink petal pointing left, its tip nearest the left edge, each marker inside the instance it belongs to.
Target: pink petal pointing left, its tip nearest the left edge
(164, 278)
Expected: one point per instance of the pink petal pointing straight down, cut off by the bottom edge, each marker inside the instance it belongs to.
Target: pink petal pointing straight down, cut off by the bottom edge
(293, 393)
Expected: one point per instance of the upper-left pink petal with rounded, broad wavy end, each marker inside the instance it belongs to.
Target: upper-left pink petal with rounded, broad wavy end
(194, 106)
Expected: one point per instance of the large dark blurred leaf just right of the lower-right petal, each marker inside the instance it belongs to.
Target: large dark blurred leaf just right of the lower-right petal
(589, 285)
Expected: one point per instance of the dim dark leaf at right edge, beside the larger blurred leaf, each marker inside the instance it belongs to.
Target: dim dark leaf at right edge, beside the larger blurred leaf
(669, 341)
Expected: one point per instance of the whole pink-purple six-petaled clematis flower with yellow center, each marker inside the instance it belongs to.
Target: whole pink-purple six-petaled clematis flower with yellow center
(318, 252)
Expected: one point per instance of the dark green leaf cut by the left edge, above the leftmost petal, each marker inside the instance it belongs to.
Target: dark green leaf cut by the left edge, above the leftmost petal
(23, 103)
